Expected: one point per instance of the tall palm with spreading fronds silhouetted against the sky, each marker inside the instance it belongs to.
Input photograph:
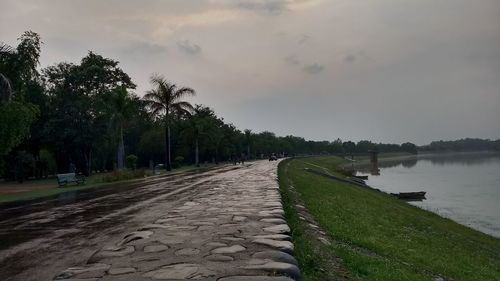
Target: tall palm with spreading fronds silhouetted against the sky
(164, 101)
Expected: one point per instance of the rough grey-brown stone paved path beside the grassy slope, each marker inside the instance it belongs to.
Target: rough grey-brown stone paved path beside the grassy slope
(233, 229)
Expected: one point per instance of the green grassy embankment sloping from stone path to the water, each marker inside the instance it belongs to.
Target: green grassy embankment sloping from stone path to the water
(377, 237)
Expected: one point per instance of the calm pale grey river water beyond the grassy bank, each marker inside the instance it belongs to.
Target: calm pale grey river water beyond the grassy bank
(462, 187)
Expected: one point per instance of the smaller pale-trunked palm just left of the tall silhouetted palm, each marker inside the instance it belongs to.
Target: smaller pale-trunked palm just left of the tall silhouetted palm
(121, 105)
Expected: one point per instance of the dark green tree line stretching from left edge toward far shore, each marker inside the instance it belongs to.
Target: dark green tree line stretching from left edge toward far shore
(87, 115)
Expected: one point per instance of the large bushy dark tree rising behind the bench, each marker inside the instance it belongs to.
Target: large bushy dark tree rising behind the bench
(78, 121)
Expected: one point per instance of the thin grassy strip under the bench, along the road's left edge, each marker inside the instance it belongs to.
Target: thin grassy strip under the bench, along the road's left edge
(49, 187)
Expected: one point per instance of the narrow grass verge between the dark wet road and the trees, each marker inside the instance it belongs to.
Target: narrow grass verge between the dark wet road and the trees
(94, 181)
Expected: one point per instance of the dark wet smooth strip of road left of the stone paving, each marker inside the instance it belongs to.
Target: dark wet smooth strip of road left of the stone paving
(24, 221)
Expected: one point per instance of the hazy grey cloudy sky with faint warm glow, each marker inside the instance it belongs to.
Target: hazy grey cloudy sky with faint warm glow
(382, 70)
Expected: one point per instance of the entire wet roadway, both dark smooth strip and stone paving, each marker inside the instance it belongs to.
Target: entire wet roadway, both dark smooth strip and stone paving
(225, 224)
